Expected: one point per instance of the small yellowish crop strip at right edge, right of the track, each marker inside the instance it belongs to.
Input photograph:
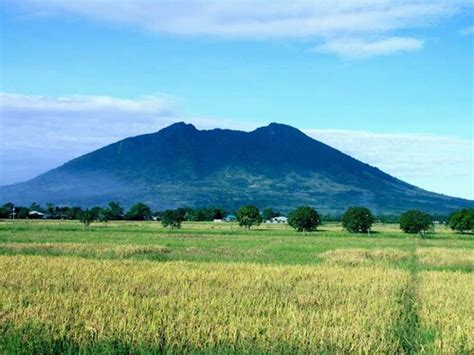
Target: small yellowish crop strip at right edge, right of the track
(445, 257)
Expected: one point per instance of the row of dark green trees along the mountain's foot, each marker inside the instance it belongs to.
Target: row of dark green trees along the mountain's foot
(302, 219)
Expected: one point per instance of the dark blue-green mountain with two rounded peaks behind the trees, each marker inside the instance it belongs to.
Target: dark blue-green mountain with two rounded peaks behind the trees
(275, 166)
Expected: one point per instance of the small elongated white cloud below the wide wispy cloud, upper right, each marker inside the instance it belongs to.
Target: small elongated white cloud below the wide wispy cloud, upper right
(356, 48)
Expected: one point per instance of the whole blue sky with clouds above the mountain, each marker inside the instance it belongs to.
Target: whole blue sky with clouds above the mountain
(388, 82)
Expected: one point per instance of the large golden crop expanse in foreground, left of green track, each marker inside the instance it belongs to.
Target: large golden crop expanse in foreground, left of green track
(191, 306)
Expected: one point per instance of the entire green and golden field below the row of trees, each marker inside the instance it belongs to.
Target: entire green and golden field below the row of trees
(212, 287)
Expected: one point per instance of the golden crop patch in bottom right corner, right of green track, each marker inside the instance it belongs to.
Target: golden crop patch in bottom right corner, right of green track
(446, 309)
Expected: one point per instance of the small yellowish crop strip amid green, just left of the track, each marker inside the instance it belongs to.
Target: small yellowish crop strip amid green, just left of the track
(357, 257)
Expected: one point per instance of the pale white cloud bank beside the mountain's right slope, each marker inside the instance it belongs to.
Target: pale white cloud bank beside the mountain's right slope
(437, 163)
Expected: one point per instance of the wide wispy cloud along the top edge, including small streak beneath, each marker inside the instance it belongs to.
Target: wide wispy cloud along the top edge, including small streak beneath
(329, 21)
